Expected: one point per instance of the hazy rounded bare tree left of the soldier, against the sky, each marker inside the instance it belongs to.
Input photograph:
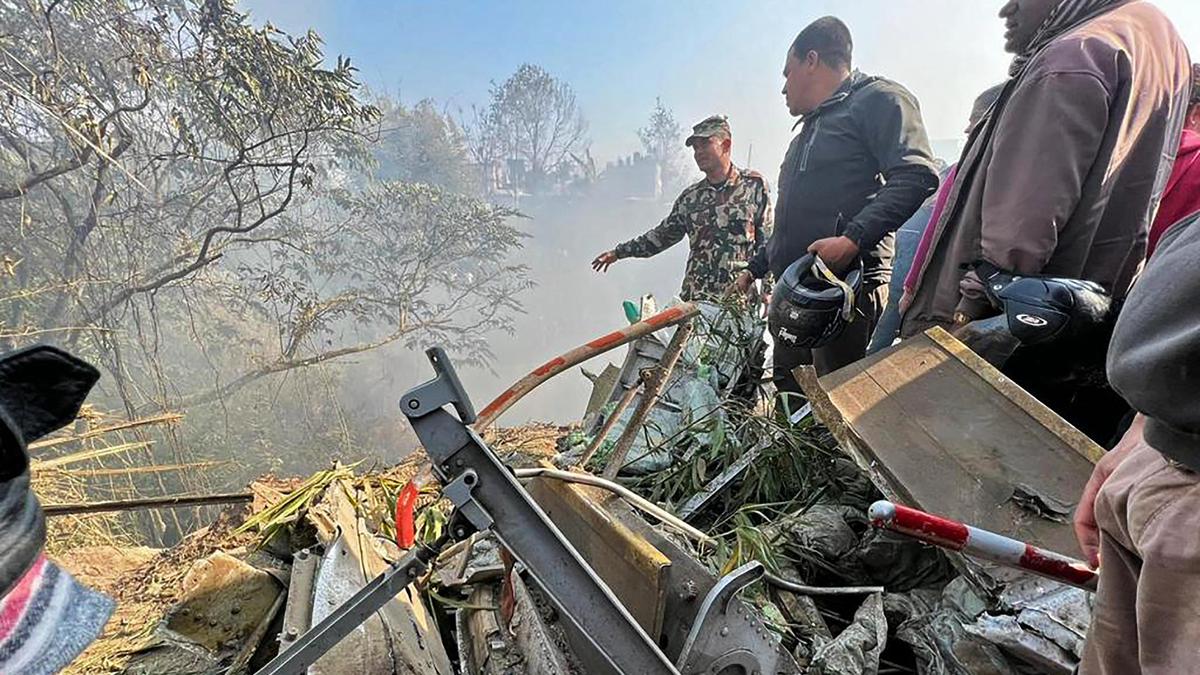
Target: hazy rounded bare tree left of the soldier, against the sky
(532, 117)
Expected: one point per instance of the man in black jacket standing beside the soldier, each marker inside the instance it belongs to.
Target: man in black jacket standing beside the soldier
(857, 170)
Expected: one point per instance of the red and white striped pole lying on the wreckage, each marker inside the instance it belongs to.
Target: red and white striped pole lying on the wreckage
(981, 543)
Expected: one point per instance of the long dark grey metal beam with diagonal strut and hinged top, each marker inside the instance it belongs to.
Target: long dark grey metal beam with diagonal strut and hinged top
(488, 497)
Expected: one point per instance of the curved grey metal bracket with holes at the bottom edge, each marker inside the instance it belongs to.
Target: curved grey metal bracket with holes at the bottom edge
(712, 647)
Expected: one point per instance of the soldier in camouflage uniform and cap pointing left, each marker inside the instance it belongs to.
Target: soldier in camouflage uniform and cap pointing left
(727, 218)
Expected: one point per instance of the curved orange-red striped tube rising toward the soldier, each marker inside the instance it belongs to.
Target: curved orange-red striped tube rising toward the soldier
(667, 318)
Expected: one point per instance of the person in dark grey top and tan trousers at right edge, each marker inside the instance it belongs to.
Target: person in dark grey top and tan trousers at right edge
(1137, 519)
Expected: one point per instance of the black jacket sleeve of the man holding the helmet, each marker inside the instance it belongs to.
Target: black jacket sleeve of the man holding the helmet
(890, 122)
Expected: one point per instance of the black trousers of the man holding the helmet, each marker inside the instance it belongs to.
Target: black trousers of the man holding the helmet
(845, 350)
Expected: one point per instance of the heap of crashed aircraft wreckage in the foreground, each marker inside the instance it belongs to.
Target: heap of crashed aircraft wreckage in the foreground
(544, 570)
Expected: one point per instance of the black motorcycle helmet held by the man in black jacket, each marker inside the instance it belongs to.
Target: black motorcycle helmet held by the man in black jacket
(811, 306)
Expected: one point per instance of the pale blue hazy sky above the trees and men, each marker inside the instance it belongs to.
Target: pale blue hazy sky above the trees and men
(700, 57)
